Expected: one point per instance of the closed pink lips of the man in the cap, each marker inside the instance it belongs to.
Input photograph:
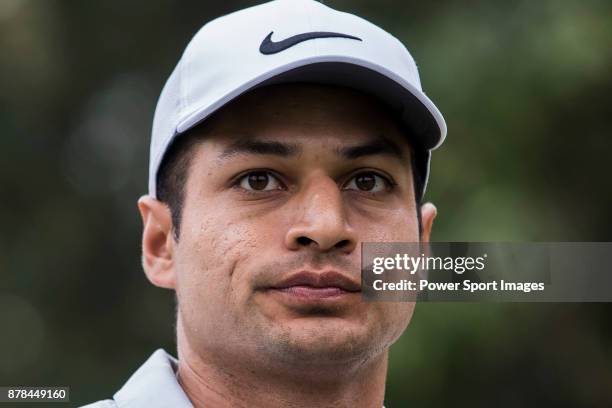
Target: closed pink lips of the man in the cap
(307, 284)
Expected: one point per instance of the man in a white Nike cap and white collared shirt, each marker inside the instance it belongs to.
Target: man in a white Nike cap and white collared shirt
(288, 134)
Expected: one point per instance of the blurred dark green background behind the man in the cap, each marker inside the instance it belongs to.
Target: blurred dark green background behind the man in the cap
(525, 88)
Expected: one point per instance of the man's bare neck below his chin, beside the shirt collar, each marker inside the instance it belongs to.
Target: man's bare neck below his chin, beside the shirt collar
(208, 384)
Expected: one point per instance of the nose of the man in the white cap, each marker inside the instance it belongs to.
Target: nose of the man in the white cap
(321, 219)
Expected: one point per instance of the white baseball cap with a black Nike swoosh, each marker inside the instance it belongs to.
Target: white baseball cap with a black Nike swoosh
(286, 41)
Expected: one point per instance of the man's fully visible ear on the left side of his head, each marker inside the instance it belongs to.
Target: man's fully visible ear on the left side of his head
(158, 245)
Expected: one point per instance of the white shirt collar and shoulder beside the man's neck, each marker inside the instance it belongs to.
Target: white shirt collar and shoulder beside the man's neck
(153, 385)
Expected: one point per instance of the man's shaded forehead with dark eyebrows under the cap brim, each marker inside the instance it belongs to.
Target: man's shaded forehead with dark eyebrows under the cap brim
(288, 120)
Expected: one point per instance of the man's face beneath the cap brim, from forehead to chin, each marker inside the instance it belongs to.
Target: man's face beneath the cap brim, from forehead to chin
(285, 186)
